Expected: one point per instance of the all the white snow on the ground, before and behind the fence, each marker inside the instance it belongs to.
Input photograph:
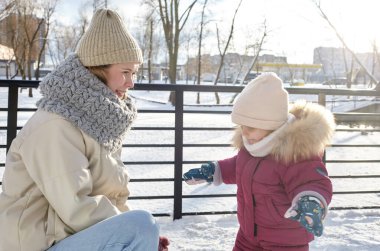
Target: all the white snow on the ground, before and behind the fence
(344, 230)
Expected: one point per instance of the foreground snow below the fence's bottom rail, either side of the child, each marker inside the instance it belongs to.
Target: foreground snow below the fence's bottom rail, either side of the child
(350, 230)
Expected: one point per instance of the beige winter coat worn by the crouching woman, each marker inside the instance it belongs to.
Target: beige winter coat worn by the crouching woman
(57, 195)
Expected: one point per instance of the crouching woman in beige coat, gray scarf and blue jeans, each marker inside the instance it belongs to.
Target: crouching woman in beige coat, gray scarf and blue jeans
(64, 185)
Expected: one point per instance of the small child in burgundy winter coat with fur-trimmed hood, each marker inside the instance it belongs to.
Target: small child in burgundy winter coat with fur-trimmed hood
(283, 190)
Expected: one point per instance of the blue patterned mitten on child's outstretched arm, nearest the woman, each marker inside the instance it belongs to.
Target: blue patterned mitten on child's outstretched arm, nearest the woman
(200, 175)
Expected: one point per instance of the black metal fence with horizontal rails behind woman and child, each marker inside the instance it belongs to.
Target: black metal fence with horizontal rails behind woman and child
(180, 109)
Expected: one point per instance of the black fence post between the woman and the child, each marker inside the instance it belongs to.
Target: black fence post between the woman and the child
(178, 154)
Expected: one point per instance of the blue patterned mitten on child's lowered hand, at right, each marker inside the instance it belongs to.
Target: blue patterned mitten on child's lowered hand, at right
(309, 211)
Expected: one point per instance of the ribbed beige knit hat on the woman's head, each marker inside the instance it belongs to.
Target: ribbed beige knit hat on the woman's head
(107, 41)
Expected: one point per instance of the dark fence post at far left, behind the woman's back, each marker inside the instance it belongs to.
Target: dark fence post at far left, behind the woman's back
(12, 113)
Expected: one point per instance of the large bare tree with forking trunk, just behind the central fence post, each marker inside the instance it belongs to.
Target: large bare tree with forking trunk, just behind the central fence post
(173, 23)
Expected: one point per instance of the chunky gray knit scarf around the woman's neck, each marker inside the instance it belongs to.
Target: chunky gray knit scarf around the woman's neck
(74, 93)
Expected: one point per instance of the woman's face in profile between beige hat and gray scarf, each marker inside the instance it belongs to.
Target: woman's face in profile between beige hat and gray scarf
(121, 77)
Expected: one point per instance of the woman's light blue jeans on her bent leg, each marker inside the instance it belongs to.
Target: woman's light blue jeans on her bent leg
(132, 230)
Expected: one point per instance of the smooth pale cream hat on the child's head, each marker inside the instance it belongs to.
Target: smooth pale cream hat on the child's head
(263, 103)
